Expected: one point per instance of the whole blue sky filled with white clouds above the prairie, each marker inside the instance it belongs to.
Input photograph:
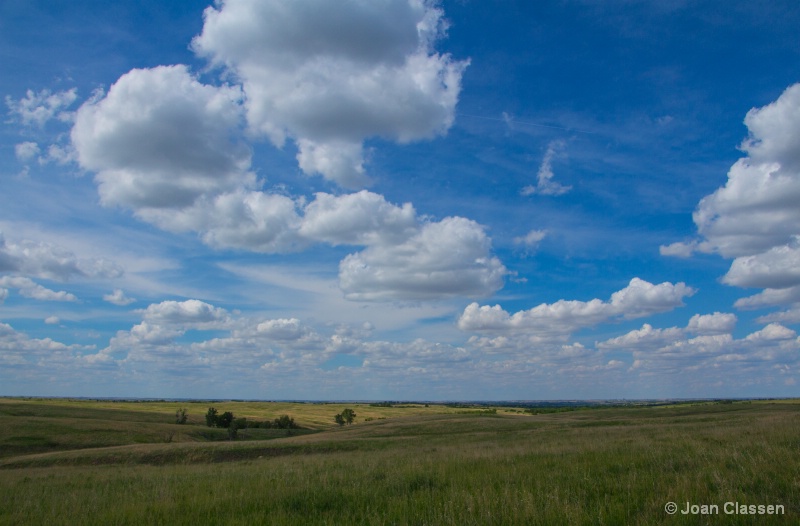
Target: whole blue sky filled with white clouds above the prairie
(400, 199)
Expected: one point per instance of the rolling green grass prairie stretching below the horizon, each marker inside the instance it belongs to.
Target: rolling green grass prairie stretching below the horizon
(109, 463)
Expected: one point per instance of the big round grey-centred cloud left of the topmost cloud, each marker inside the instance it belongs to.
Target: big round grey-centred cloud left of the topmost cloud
(160, 139)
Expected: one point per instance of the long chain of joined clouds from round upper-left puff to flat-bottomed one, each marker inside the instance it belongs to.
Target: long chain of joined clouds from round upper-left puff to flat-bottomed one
(159, 142)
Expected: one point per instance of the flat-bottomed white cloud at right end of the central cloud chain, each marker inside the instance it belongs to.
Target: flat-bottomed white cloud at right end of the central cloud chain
(447, 258)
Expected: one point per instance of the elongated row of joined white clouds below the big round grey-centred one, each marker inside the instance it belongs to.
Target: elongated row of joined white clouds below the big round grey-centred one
(405, 258)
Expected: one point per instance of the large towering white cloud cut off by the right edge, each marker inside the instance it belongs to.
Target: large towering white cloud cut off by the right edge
(754, 217)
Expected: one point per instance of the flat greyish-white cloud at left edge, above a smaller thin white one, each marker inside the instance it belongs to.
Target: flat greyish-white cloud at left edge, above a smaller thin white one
(48, 261)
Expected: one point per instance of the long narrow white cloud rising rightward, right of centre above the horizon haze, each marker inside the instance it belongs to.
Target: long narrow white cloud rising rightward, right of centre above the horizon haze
(638, 299)
